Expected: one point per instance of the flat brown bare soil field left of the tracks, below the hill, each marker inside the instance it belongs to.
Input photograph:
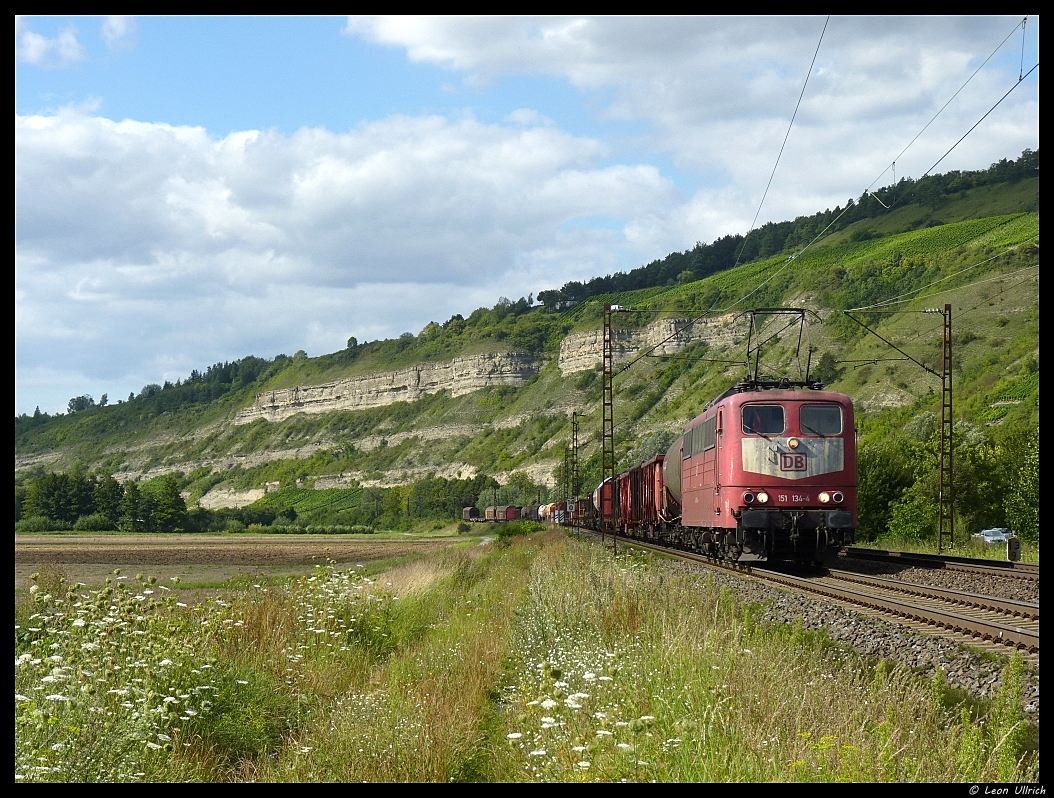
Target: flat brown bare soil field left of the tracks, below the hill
(203, 558)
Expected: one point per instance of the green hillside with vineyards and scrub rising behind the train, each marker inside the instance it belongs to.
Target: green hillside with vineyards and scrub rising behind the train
(977, 248)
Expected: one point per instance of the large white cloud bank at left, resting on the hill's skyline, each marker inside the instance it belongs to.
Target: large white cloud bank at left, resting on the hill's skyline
(145, 247)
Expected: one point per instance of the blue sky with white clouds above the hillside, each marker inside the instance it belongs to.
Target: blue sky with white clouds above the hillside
(196, 190)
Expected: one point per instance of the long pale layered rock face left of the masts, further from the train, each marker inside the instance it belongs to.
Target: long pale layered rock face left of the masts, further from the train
(460, 377)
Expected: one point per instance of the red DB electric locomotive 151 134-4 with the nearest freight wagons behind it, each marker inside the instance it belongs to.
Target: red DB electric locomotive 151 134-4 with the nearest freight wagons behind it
(768, 472)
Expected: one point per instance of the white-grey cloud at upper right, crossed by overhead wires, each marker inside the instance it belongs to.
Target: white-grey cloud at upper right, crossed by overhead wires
(717, 93)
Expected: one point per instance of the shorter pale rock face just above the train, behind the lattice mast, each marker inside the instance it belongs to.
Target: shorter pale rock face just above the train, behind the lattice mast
(582, 352)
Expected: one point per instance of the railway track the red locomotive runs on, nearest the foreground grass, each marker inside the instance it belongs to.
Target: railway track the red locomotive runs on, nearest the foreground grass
(1014, 625)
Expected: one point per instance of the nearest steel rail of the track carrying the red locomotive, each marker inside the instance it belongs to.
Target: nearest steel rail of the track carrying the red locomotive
(989, 631)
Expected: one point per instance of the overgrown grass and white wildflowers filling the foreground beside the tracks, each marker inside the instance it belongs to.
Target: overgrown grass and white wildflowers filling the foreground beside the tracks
(548, 659)
